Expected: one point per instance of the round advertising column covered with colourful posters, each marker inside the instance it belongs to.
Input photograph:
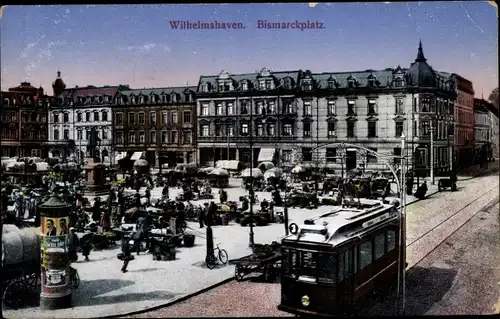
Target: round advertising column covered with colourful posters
(56, 289)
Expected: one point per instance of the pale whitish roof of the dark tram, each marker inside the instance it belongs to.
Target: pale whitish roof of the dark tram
(342, 223)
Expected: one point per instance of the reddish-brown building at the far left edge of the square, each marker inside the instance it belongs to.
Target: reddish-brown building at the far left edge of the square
(24, 118)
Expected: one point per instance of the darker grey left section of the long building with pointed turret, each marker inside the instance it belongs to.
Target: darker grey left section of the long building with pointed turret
(236, 110)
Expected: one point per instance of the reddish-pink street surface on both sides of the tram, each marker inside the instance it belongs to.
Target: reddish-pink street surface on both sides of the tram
(459, 276)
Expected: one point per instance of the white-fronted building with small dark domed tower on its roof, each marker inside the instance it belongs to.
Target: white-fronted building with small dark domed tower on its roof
(76, 112)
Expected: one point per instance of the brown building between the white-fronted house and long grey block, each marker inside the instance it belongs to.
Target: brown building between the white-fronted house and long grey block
(157, 124)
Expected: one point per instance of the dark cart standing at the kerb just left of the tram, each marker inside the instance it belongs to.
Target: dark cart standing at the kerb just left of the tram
(265, 259)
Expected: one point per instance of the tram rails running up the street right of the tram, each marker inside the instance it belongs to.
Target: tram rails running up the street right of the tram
(434, 237)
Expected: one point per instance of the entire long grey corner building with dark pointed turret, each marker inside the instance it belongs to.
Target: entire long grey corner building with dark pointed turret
(292, 113)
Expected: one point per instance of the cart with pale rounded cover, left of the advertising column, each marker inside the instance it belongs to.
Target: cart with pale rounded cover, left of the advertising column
(21, 266)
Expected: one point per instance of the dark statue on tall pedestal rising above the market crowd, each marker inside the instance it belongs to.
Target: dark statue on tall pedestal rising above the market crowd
(95, 179)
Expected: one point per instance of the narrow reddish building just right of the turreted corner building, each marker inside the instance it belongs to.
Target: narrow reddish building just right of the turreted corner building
(464, 121)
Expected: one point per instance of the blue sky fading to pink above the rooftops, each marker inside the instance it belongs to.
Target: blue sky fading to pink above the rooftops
(136, 45)
